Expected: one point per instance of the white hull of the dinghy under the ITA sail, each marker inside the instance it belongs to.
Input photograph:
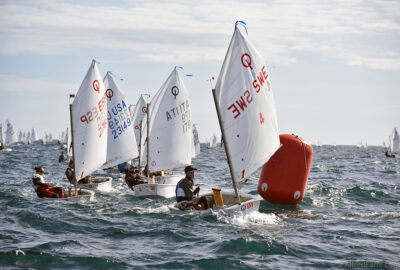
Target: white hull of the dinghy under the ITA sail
(164, 186)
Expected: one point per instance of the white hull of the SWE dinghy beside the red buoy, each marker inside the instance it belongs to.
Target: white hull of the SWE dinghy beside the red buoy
(249, 205)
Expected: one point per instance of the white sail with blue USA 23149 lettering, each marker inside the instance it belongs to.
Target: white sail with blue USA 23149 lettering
(121, 145)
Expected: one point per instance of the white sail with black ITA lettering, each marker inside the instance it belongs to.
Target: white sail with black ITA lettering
(170, 132)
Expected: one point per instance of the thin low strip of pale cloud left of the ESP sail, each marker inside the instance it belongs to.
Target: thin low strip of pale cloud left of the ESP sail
(13, 83)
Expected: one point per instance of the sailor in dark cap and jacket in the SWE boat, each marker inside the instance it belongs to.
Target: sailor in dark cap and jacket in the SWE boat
(185, 193)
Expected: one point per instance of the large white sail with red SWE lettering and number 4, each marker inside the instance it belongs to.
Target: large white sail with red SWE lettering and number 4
(247, 107)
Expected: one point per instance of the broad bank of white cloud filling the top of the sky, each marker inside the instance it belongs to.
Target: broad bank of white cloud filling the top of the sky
(177, 30)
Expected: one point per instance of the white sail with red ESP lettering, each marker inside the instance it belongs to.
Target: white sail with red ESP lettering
(89, 116)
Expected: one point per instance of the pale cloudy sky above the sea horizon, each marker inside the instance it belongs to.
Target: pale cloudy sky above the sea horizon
(334, 65)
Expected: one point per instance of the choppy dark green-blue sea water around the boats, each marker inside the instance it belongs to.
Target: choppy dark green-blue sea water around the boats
(349, 218)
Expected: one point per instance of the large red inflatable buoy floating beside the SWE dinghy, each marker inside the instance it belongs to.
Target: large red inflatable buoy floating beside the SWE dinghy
(284, 177)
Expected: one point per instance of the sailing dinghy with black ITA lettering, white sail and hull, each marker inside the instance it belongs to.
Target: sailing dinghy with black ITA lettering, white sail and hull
(168, 137)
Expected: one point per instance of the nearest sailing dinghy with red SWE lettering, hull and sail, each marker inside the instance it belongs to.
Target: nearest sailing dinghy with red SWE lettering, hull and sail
(247, 116)
